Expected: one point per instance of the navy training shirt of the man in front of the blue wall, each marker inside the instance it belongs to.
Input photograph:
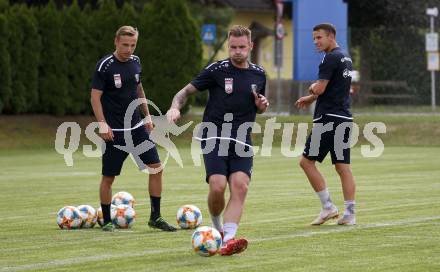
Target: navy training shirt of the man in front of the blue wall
(335, 67)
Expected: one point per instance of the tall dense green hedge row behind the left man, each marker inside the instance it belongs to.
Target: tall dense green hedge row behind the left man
(48, 55)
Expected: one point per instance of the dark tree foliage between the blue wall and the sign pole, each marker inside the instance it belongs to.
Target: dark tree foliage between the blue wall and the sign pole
(389, 36)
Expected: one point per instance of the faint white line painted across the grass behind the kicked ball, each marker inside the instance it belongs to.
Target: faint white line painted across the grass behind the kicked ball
(78, 260)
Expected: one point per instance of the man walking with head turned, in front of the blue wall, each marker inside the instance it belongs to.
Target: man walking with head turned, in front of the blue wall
(331, 92)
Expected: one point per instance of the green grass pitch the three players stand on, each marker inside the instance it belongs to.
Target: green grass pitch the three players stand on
(398, 216)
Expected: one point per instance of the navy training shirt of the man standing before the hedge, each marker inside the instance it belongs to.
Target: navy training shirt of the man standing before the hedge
(118, 81)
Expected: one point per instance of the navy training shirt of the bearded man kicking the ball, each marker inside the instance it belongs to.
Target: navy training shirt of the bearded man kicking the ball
(230, 91)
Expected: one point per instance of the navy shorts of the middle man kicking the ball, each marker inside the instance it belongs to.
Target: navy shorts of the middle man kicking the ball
(227, 163)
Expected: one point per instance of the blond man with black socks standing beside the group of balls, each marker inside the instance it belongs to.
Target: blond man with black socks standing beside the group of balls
(116, 83)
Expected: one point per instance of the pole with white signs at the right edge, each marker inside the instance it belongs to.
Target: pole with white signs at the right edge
(432, 51)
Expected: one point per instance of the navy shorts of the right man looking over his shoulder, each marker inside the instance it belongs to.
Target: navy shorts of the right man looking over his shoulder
(329, 134)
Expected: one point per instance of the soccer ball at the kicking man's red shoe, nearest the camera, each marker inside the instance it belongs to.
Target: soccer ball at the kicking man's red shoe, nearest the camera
(206, 241)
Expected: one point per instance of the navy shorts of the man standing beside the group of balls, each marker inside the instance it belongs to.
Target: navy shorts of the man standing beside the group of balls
(113, 158)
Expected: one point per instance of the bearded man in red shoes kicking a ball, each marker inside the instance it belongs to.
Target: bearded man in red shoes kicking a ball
(236, 93)
